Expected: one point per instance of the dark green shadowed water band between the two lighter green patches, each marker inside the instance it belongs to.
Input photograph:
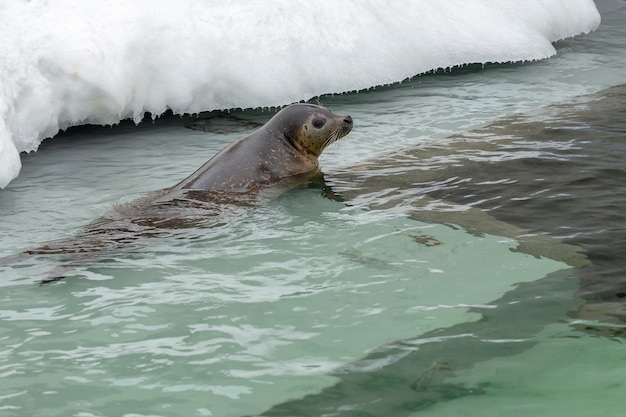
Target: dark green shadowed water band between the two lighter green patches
(413, 375)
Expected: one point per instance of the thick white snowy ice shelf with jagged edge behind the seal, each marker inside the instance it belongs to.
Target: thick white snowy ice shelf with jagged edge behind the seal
(67, 63)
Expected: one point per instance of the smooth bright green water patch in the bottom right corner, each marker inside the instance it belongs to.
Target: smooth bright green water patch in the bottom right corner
(563, 374)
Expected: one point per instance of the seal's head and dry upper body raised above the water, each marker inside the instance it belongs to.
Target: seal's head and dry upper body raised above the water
(289, 144)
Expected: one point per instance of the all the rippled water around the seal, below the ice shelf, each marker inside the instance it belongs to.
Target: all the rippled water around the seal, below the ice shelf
(410, 296)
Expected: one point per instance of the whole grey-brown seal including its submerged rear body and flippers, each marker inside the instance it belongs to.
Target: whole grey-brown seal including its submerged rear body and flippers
(286, 147)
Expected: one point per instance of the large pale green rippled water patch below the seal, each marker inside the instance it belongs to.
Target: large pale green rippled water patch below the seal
(239, 324)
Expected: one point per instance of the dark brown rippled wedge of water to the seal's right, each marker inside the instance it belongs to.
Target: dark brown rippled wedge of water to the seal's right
(559, 172)
